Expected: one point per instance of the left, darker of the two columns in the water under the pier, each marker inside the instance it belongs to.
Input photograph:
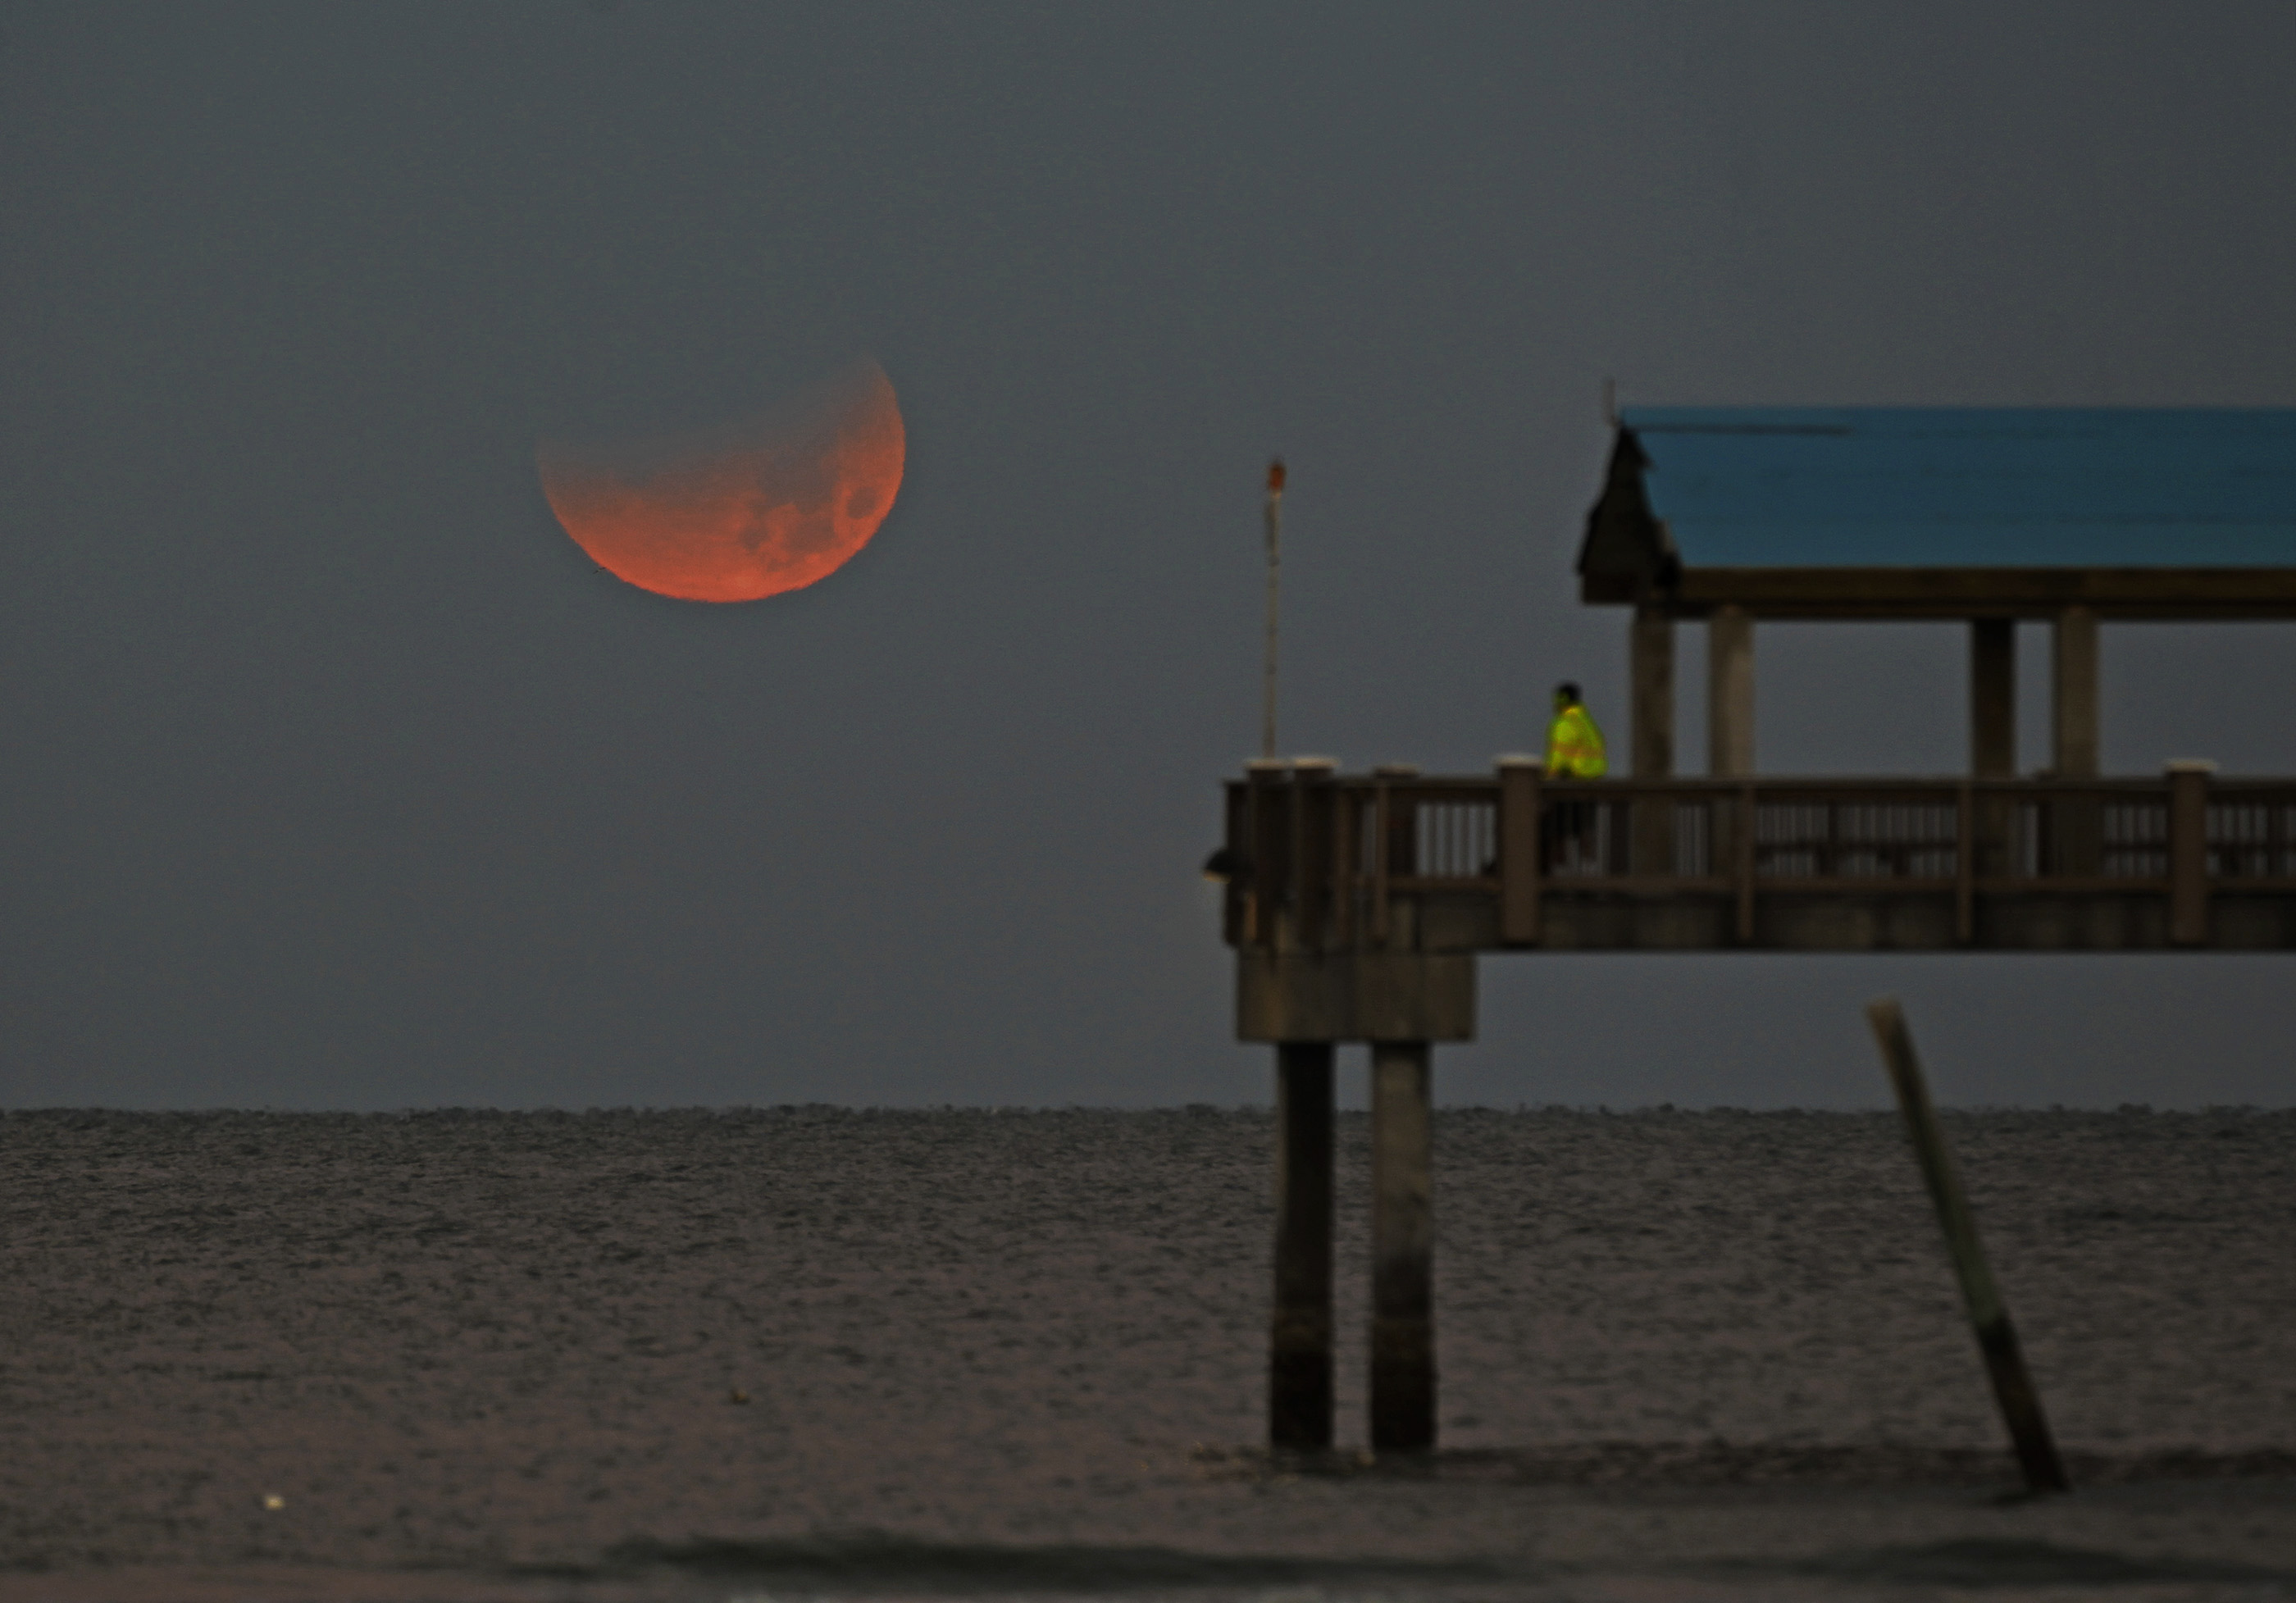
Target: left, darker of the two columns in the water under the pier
(1301, 1333)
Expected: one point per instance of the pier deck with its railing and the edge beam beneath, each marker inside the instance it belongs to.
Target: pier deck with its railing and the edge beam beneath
(1512, 862)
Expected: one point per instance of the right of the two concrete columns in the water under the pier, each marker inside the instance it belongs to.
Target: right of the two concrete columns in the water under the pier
(1402, 1250)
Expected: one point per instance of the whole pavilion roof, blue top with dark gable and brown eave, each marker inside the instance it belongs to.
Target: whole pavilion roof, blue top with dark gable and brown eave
(1900, 511)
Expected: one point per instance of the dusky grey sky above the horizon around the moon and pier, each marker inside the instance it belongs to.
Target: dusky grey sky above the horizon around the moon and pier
(339, 777)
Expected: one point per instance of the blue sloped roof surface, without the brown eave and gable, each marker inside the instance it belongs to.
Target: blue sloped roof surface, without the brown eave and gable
(1971, 488)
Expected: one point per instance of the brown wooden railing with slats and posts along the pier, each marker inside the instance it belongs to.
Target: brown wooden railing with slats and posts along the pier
(1326, 855)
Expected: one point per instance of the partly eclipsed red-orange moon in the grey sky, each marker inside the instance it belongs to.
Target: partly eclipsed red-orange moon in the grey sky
(752, 511)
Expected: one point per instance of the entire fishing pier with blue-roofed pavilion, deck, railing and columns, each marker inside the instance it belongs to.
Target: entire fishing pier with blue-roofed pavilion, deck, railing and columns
(1358, 904)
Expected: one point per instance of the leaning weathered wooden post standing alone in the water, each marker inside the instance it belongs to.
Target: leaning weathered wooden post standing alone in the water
(1996, 1338)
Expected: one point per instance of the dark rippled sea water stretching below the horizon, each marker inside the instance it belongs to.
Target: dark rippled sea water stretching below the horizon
(1021, 1354)
